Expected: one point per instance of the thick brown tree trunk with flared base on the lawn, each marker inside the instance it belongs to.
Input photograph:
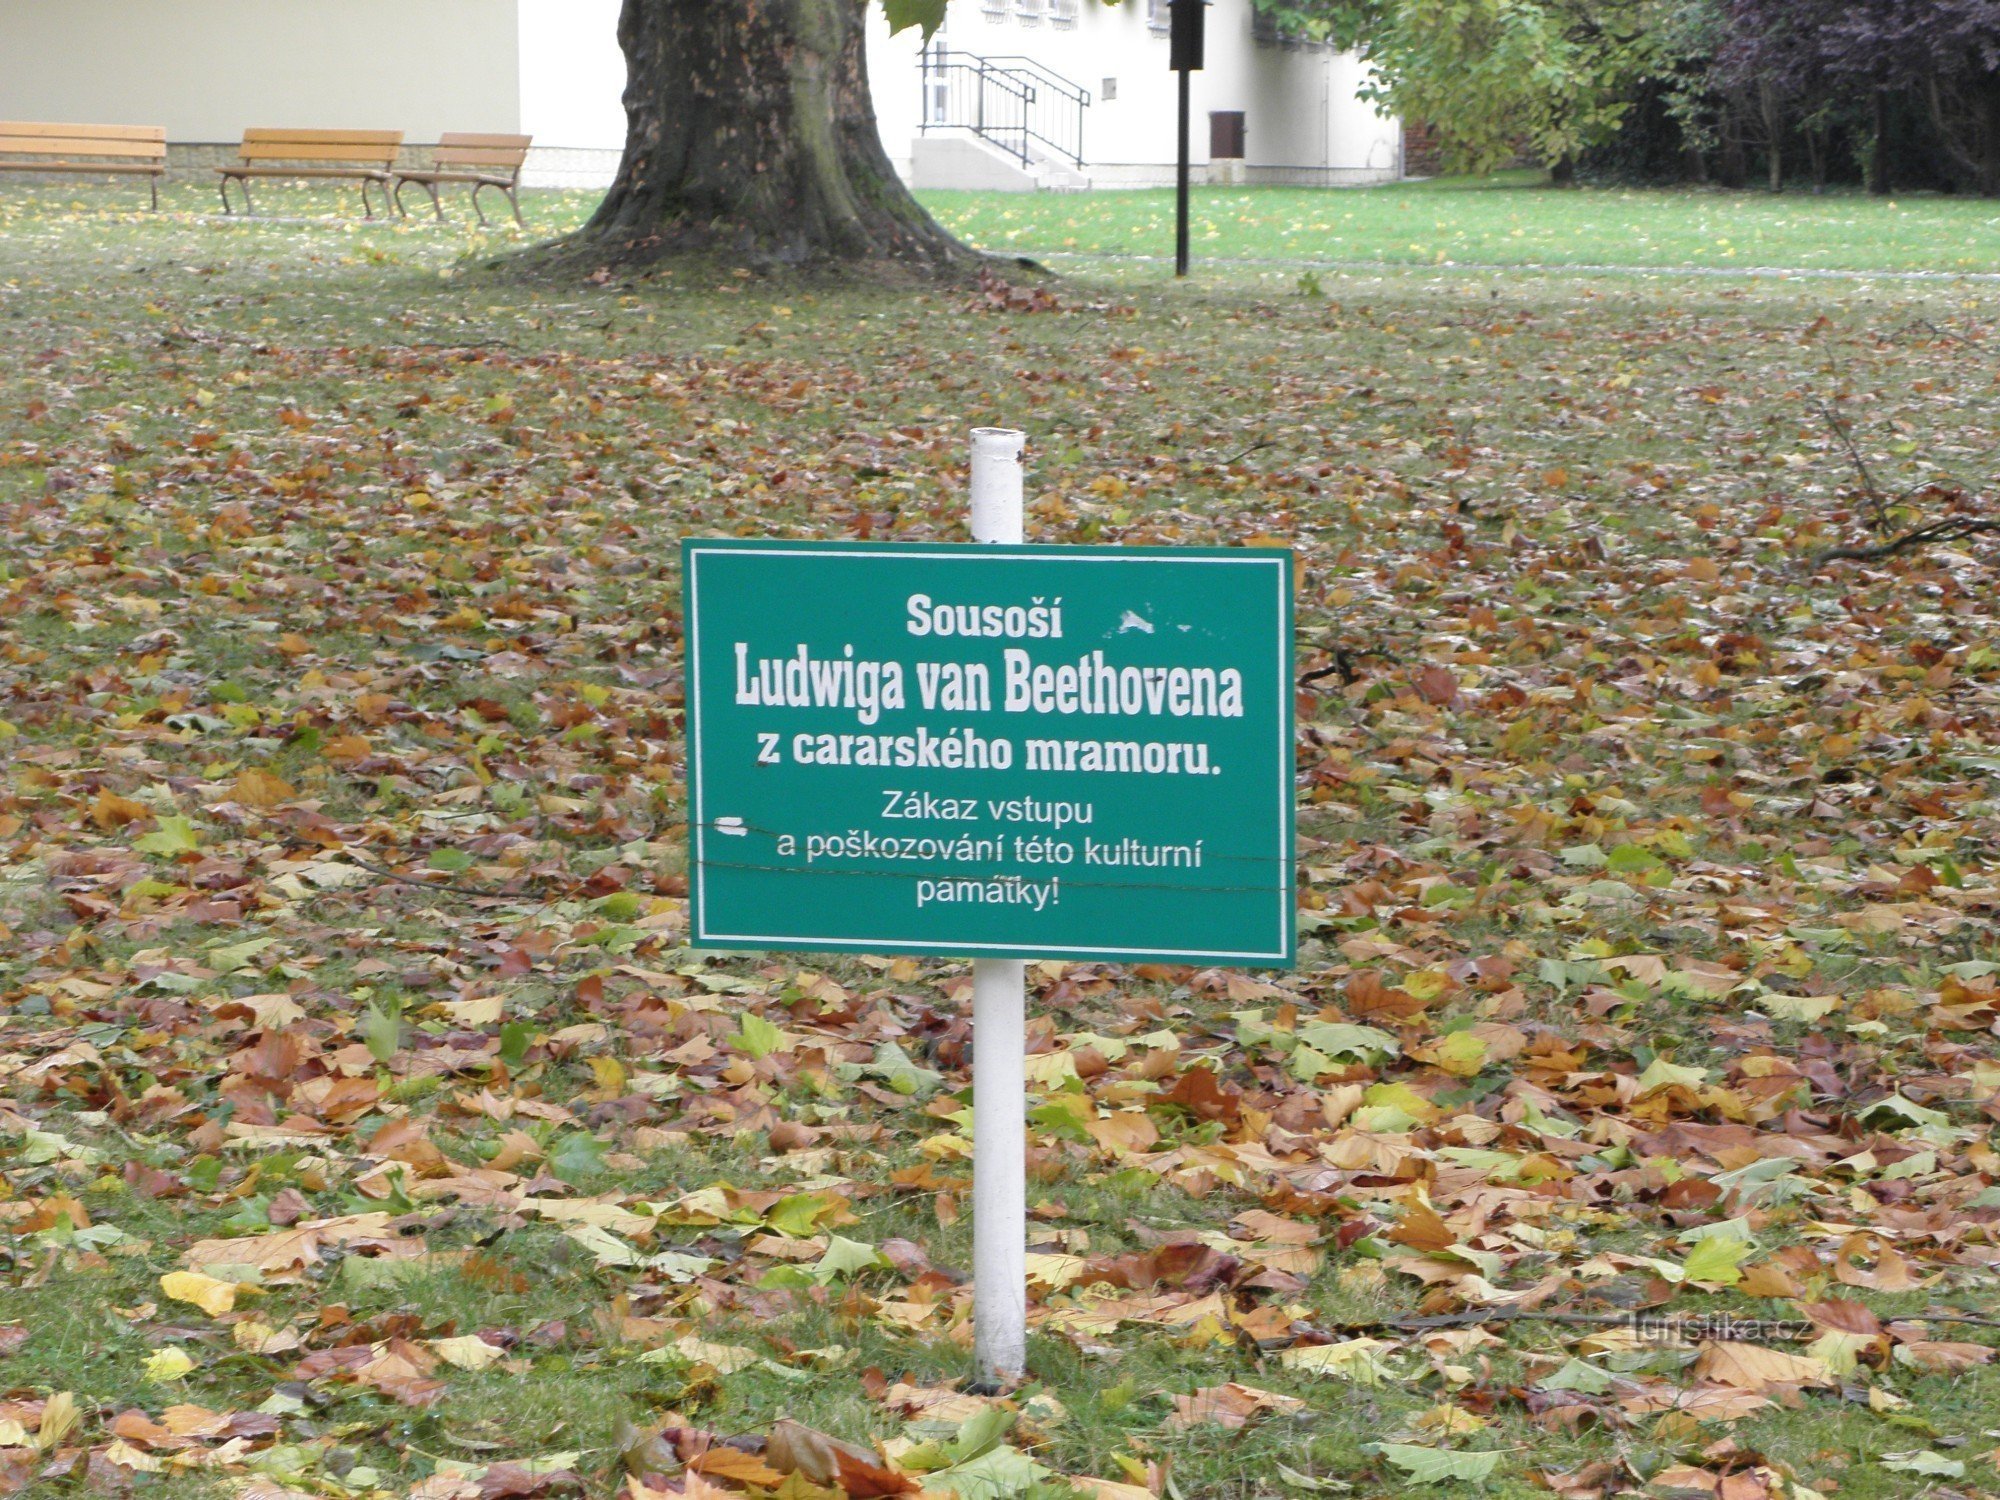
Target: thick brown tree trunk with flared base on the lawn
(751, 135)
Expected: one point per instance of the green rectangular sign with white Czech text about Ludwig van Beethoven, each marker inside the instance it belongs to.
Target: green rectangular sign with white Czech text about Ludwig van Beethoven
(991, 751)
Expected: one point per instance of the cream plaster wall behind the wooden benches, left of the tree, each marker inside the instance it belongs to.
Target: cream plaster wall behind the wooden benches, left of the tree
(209, 69)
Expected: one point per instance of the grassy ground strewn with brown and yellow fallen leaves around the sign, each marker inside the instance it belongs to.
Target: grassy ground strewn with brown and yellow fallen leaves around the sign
(365, 1129)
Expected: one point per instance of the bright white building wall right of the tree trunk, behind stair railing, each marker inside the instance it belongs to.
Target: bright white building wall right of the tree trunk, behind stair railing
(1303, 115)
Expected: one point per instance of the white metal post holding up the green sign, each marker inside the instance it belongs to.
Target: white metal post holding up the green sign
(999, 1037)
